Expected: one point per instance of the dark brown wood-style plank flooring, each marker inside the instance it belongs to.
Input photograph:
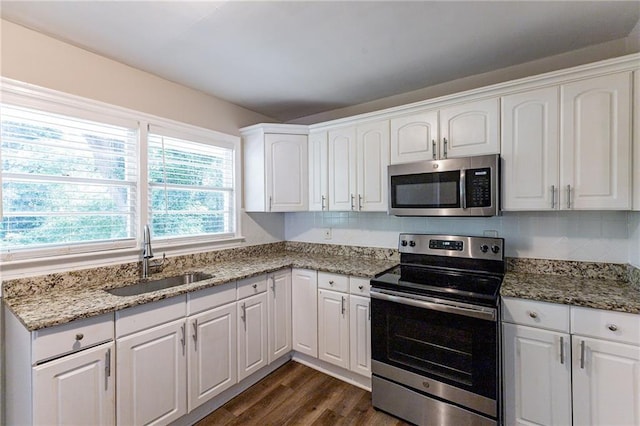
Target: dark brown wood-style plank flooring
(295, 394)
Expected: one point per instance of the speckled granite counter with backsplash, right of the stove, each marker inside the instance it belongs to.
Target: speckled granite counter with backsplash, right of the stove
(588, 284)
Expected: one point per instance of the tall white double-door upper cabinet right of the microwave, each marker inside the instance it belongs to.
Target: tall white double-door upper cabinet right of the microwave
(568, 147)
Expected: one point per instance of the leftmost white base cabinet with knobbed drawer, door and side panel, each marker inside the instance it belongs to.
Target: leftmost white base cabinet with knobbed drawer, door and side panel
(60, 375)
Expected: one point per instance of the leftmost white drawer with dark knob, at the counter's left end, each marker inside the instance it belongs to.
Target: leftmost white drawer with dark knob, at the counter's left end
(74, 336)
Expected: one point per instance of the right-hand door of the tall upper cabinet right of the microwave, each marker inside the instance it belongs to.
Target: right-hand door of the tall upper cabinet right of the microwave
(596, 143)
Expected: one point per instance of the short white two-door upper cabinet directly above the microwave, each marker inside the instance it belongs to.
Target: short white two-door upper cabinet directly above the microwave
(456, 131)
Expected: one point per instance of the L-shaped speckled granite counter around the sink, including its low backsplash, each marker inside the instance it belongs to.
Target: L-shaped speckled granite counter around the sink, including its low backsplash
(55, 299)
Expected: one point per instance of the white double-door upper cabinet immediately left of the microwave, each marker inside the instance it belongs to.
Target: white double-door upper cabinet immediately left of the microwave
(358, 157)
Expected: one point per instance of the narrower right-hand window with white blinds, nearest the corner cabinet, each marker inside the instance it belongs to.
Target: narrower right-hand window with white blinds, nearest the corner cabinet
(191, 186)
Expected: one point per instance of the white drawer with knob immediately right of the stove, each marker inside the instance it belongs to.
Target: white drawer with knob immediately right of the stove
(551, 316)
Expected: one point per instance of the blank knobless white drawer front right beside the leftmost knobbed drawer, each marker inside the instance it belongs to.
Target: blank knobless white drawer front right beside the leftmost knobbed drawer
(149, 315)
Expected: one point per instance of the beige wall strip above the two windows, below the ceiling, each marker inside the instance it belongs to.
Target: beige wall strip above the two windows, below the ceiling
(35, 58)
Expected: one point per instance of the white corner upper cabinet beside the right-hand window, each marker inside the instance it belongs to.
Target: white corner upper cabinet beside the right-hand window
(276, 176)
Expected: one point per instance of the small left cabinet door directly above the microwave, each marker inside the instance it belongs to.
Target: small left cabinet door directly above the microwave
(414, 137)
